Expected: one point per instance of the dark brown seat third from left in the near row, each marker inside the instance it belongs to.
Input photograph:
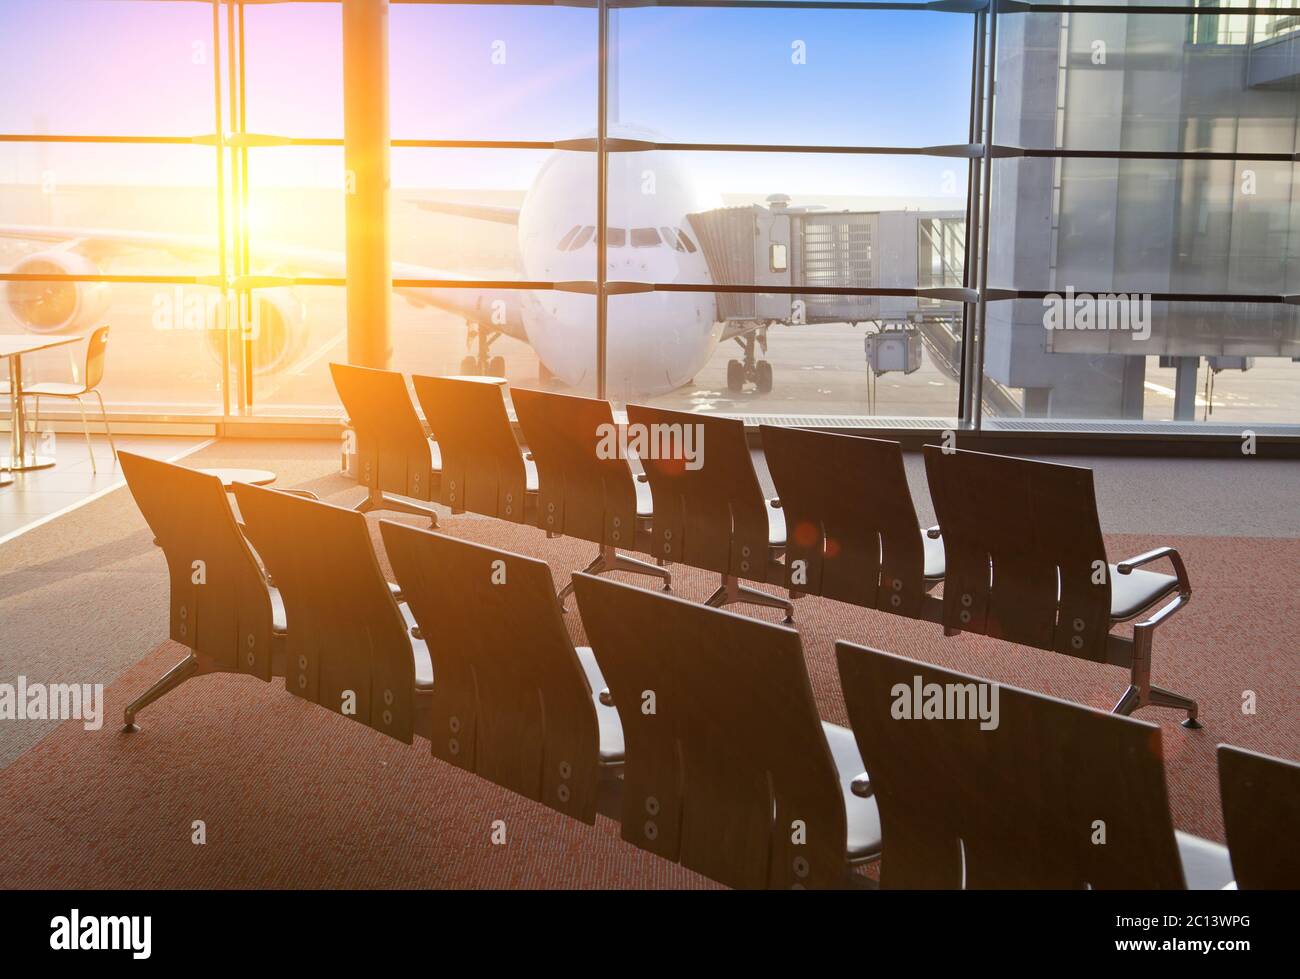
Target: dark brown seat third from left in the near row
(514, 701)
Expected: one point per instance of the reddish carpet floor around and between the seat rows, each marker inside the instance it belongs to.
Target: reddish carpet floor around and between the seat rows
(296, 796)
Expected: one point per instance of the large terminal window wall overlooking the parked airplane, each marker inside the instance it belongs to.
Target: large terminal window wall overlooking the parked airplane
(803, 190)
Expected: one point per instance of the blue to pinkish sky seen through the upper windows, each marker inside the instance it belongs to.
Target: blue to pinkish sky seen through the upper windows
(496, 72)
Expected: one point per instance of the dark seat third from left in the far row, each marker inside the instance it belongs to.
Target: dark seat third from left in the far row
(586, 491)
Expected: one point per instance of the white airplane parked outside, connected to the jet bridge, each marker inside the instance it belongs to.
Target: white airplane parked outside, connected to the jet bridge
(656, 341)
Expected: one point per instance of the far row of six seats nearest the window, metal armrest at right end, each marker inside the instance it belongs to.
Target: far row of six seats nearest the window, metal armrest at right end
(1019, 548)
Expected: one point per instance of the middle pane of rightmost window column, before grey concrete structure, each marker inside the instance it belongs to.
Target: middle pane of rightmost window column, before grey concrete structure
(1146, 226)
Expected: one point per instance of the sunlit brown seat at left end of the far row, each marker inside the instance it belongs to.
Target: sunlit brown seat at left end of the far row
(396, 460)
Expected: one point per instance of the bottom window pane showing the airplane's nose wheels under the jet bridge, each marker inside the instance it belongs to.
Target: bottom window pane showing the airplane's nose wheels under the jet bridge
(861, 362)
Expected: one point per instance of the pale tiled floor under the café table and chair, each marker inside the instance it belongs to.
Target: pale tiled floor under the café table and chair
(36, 496)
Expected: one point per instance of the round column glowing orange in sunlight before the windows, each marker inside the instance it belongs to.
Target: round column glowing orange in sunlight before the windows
(366, 161)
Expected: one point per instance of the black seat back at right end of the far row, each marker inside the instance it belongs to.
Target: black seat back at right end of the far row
(1025, 556)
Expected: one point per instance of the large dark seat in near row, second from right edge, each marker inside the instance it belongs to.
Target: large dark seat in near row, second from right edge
(1024, 791)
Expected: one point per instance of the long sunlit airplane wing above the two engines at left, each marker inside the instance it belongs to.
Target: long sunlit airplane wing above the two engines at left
(500, 310)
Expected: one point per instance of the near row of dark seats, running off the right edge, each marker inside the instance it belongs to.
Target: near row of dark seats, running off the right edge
(694, 726)
